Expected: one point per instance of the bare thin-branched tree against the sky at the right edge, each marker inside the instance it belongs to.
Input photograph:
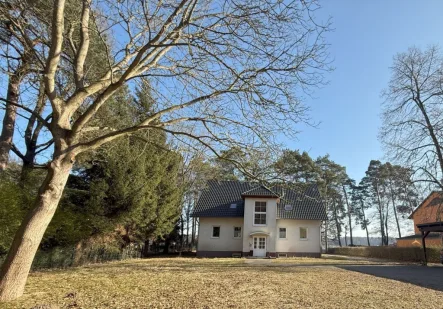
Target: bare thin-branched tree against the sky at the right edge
(412, 128)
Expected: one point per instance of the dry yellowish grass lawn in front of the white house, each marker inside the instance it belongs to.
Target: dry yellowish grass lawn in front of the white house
(220, 283)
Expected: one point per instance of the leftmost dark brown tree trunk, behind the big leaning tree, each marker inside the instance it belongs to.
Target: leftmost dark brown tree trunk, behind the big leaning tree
(9, 121)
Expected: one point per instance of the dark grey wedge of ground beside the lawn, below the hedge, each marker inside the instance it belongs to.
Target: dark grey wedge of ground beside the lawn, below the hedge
(428, 277)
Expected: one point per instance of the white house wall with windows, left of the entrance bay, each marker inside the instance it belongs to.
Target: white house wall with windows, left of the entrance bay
(226, 242)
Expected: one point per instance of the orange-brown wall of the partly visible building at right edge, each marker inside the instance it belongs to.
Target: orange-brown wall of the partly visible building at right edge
(430, 211)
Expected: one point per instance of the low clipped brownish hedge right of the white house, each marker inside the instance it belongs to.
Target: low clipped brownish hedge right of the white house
(411, 254)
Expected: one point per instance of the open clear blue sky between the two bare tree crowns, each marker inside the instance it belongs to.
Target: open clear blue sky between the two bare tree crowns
(367, 35)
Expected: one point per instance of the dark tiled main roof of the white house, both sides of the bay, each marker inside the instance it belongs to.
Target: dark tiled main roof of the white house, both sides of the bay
(217, 197)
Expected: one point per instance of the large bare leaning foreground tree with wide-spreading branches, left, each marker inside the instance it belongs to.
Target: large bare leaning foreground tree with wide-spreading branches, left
(221, 72)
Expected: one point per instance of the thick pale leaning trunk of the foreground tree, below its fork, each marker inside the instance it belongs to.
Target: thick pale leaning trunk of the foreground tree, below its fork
(17, 265)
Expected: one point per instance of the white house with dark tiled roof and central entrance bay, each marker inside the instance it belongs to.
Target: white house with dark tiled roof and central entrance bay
(247, 218)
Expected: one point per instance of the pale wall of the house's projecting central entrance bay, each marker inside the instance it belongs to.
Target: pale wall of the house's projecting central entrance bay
(249, 227)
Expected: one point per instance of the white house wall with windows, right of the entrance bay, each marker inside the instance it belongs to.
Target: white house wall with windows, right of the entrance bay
(293, 243)
